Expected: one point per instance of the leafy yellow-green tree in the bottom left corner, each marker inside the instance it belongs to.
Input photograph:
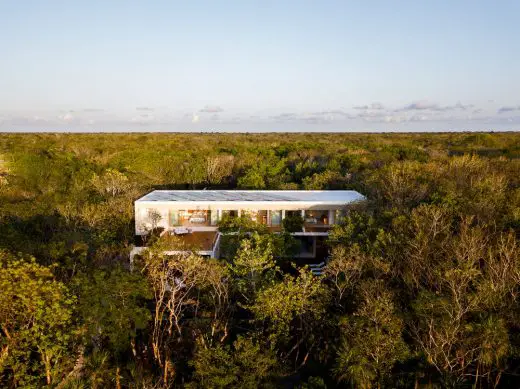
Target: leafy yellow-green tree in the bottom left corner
(36, 323)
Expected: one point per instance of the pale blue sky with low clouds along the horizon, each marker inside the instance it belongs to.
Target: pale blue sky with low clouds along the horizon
(444, 65)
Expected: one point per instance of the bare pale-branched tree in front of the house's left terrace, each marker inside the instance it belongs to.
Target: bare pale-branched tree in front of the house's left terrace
(190, 293)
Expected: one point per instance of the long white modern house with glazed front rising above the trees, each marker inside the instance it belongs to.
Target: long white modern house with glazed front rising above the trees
(194, 215)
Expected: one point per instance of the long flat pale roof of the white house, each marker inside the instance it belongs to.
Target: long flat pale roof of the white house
(325, 196)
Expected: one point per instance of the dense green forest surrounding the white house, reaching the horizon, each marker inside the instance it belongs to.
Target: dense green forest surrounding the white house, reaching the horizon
(422, 289)
